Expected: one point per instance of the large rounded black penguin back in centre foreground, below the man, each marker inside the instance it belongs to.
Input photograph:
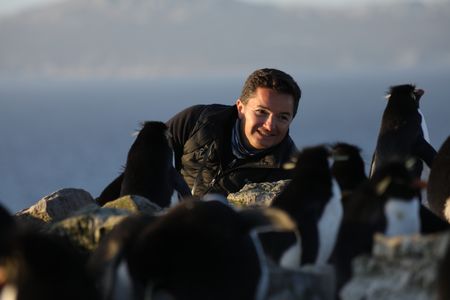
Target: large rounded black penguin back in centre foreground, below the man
(198, 250)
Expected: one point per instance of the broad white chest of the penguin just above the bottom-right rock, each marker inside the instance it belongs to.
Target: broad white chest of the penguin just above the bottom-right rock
(402, 217)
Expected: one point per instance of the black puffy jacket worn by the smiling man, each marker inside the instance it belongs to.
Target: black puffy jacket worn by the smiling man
(201, 139)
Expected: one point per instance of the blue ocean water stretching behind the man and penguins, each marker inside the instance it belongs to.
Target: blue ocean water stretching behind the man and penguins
(76, 133)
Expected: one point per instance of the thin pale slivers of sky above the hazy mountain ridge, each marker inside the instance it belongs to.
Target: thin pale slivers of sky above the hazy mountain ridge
(8, 6)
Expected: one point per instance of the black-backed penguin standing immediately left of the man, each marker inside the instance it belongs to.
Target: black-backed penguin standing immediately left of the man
(149, 171)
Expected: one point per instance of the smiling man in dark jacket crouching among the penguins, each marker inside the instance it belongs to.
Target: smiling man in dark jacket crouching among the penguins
(220, 148)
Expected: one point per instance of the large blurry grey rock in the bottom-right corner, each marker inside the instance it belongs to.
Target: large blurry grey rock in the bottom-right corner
(400, 268)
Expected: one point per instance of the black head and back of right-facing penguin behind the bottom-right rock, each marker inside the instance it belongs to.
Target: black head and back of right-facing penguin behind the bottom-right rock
(365, 215)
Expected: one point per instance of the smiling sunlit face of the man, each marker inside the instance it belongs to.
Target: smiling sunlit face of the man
(266, 117)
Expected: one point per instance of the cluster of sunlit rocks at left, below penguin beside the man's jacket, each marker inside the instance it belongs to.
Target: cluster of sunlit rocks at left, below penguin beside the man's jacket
(74, 214)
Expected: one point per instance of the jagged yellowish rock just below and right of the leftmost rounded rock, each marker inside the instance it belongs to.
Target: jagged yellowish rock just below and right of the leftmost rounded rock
(86, 229)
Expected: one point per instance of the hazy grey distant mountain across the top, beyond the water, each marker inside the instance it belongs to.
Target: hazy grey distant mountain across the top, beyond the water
(123, 38)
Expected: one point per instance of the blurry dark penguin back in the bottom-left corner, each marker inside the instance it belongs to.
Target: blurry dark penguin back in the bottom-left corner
(44, 266)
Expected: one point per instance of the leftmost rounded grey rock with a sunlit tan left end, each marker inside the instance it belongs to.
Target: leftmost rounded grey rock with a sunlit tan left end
(56, 206)
